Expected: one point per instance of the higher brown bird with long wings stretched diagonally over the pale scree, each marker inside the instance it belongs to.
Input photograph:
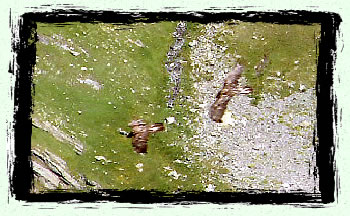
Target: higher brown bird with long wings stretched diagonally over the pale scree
(231, 88)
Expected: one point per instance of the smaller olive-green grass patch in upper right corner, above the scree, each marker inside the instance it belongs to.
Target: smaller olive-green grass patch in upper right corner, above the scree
(283, 44)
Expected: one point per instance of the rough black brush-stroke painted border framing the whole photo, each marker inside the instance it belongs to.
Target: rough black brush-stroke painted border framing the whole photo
(22, 176)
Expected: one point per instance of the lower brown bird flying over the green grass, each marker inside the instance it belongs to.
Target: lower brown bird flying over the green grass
(140, 133)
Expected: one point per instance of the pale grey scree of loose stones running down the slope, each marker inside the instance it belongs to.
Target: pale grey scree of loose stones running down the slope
(268, 146)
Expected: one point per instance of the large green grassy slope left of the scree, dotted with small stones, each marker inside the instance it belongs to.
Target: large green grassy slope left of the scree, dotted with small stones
(59, 97)
